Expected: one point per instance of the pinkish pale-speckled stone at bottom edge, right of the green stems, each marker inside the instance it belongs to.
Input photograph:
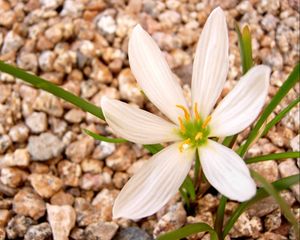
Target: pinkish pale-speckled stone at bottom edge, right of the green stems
(246, 227)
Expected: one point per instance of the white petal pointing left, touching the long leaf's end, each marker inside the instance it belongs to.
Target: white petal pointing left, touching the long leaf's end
(137, 125)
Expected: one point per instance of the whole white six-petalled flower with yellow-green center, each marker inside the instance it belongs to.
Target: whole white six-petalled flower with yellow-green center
(191, 130)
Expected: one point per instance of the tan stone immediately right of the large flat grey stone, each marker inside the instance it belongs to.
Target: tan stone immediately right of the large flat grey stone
(80, 149)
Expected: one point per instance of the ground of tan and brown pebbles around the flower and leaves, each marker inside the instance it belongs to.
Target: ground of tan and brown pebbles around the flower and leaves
(57, 182)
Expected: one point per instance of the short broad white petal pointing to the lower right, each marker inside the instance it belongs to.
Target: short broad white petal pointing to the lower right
(226, 171)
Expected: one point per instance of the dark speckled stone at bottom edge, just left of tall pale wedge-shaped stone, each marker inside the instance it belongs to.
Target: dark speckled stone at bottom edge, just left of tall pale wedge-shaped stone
(41, 231)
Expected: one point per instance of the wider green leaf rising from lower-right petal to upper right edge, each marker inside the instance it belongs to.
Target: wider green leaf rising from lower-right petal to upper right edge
(284, 89)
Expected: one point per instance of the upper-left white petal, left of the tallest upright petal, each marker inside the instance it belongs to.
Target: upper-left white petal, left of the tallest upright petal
(154, 75)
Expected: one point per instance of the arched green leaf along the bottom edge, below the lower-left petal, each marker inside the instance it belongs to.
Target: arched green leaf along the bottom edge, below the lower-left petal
(189, 230)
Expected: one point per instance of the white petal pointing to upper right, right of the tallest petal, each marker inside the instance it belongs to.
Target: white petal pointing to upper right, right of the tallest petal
(243, 104)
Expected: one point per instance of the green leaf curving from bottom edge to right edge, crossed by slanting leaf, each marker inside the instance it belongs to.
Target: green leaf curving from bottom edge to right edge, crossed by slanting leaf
(261, 193)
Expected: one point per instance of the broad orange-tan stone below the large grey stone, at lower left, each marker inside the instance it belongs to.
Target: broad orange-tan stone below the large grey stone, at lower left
(45, 185)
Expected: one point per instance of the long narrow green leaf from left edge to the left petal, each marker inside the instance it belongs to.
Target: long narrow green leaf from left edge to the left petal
(52, 88)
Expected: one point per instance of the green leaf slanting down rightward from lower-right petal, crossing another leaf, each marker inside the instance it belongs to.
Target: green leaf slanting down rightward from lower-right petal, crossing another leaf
(281, 202)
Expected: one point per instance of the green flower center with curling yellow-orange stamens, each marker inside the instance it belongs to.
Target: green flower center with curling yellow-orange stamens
(194, 131)
